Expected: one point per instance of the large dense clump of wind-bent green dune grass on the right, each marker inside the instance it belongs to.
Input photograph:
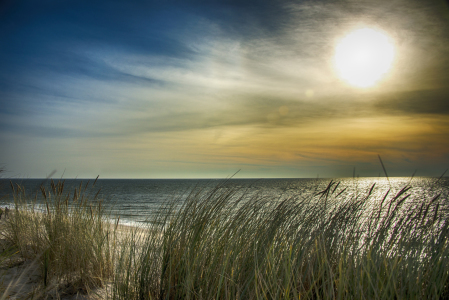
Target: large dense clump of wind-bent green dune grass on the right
(222, 244)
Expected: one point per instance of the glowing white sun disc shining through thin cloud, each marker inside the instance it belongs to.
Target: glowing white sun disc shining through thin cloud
(363, 57)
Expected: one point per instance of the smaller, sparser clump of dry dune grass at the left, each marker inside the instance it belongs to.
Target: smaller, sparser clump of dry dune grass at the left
(66, 234)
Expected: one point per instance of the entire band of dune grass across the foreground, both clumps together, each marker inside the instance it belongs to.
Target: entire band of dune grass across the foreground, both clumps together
(221, 244)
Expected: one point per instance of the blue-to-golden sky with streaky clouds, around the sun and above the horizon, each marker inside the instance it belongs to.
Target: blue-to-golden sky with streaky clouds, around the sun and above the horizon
(203, 89)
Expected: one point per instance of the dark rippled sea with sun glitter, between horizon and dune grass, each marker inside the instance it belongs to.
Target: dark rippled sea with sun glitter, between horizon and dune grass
(135, 200)
